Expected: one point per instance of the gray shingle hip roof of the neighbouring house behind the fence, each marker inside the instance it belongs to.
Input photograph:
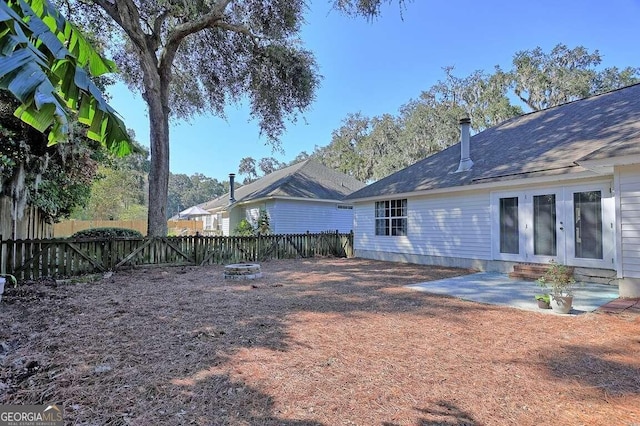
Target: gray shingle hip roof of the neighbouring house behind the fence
(307, 179)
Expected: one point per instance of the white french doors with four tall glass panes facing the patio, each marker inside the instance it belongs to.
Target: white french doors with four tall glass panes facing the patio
(571, 225)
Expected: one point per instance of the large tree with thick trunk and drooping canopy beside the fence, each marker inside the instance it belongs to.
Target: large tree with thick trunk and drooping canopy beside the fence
(190, 57)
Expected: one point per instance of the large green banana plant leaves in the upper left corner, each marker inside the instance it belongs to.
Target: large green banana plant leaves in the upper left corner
(43, 62)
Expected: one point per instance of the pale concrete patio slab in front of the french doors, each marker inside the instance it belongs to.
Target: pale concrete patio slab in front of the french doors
(498, 289)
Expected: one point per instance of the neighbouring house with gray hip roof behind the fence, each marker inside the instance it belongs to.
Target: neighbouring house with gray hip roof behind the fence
(305, 197)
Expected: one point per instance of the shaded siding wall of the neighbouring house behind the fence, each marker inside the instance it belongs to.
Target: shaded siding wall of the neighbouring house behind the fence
(296, 217)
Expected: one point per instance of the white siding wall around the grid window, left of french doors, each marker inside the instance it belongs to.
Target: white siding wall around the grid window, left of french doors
(446, 226)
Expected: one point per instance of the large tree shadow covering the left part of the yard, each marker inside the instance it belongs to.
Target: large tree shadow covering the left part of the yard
(171, 337)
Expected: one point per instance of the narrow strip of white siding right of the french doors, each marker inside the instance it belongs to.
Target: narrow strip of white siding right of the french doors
(629, 189)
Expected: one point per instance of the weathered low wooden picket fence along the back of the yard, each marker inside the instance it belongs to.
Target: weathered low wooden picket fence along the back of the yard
(33, 259)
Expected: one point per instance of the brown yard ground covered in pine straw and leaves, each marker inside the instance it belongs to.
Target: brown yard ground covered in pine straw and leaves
(314, 342)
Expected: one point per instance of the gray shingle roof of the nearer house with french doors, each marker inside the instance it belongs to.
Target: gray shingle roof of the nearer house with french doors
(543, 143)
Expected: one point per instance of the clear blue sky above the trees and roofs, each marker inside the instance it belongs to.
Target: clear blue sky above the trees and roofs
(376, 67)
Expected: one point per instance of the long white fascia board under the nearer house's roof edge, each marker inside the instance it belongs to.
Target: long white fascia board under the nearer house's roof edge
(515, 183)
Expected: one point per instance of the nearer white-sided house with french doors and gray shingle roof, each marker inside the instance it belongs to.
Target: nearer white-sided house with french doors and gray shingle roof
(560, 184)
